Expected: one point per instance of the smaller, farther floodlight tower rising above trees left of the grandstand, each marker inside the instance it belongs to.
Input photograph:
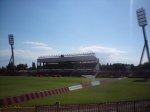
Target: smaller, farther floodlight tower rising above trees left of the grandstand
(11, 43)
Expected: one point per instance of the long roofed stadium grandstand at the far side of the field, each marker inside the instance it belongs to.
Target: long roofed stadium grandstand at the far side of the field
(68, 64)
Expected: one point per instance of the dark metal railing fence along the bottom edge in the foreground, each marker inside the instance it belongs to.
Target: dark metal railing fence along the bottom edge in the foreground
(122, 106)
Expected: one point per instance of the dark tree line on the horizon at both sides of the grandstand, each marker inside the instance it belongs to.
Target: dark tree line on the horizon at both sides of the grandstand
(102, 67)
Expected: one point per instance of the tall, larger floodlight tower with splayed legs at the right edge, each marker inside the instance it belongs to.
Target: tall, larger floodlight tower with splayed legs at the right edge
(141, 16)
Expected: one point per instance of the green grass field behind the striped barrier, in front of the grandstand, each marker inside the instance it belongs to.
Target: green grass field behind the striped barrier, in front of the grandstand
(13, 86)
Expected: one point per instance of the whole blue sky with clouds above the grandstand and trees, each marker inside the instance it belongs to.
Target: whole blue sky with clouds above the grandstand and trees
(46, 27)
